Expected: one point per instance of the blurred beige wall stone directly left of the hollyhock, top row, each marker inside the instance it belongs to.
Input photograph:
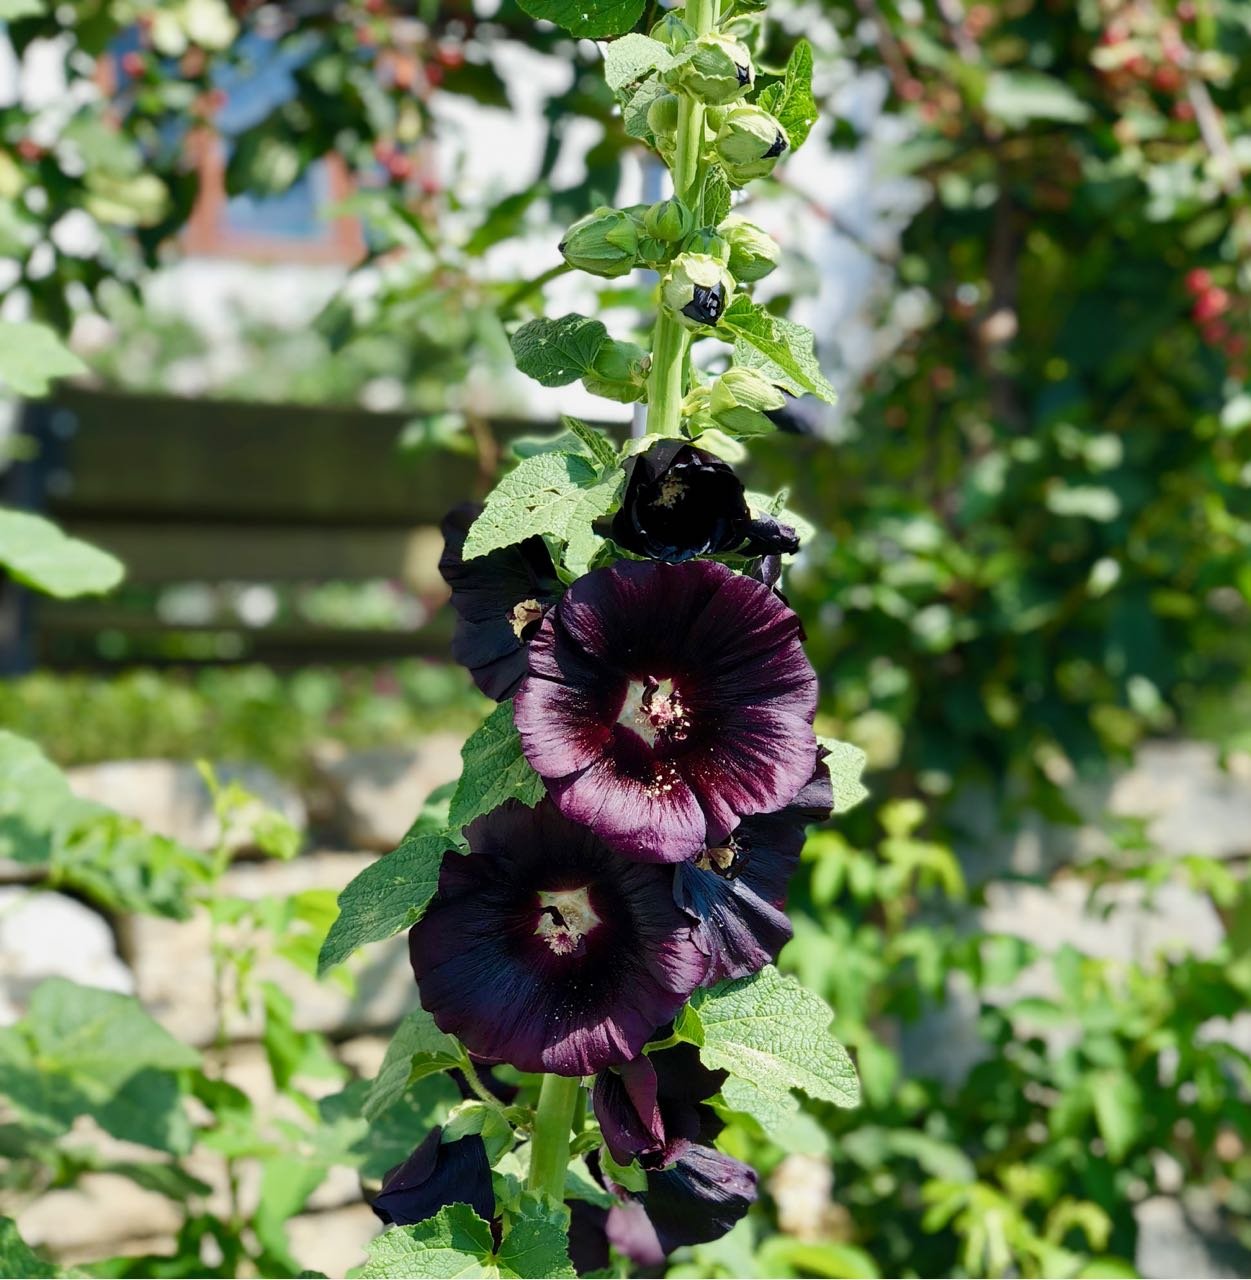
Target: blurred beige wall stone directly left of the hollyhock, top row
(377, 794)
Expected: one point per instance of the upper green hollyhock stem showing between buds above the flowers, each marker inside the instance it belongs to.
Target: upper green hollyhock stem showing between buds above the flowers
(666, 386)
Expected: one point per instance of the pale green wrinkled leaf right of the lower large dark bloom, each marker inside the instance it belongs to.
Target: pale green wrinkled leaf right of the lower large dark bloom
(774, 1034)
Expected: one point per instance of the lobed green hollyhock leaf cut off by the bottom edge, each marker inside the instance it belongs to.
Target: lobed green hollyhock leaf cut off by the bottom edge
(456, 1242)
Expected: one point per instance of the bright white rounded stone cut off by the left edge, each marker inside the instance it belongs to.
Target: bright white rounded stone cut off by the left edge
(51, 935)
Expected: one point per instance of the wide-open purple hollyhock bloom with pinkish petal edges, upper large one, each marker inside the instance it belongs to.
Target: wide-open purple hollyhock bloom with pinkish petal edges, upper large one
(666, 703)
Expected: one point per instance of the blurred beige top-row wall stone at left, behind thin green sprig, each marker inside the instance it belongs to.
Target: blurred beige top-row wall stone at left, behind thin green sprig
(171, 798)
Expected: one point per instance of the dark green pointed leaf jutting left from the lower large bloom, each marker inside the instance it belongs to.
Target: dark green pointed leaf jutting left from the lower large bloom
(389, 897)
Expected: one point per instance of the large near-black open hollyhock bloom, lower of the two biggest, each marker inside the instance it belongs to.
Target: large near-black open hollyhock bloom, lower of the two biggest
(546, 950)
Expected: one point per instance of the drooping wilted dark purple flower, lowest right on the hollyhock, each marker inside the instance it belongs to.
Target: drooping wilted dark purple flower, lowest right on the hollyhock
(696, 1200)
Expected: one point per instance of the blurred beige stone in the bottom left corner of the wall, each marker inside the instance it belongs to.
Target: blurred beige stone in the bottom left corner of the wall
(94, 1214)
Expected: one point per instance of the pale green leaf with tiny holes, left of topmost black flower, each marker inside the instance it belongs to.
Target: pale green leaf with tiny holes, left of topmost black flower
(532, 501)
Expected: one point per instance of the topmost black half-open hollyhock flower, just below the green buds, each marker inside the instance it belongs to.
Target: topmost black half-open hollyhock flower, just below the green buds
(682, 502)
